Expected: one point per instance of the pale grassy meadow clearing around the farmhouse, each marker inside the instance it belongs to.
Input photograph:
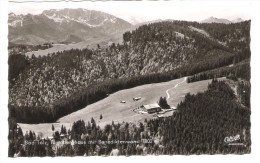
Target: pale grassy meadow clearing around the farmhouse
(112, 110)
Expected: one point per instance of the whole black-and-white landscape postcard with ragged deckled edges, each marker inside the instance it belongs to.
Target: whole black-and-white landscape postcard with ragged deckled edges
(129, 78)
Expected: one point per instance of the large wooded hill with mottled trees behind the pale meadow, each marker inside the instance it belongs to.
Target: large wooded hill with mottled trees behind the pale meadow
(48, 87)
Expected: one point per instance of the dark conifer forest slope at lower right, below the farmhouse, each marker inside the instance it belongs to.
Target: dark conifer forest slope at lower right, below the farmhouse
(203, 121)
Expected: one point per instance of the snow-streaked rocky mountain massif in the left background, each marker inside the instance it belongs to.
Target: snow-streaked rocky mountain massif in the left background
(65, 25)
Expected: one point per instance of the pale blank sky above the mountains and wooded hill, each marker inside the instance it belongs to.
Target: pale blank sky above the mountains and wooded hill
(140, 11)
